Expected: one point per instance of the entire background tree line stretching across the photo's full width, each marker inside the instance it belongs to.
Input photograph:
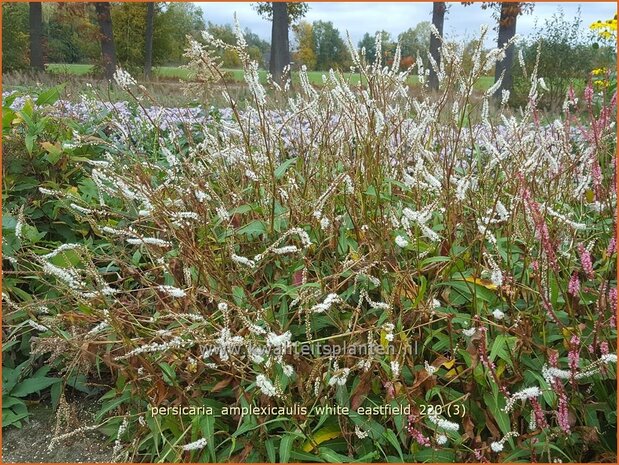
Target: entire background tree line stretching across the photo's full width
(140, 35)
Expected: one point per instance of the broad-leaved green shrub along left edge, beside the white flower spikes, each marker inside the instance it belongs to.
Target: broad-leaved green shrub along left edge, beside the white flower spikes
(38, 149)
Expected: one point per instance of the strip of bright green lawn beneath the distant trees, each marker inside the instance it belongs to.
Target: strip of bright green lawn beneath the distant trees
(235, 75)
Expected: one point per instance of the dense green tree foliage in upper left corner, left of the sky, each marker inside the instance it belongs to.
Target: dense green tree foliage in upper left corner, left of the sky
(71, 32)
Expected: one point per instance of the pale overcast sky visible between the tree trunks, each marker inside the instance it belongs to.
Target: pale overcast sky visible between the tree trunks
(357, 18)
